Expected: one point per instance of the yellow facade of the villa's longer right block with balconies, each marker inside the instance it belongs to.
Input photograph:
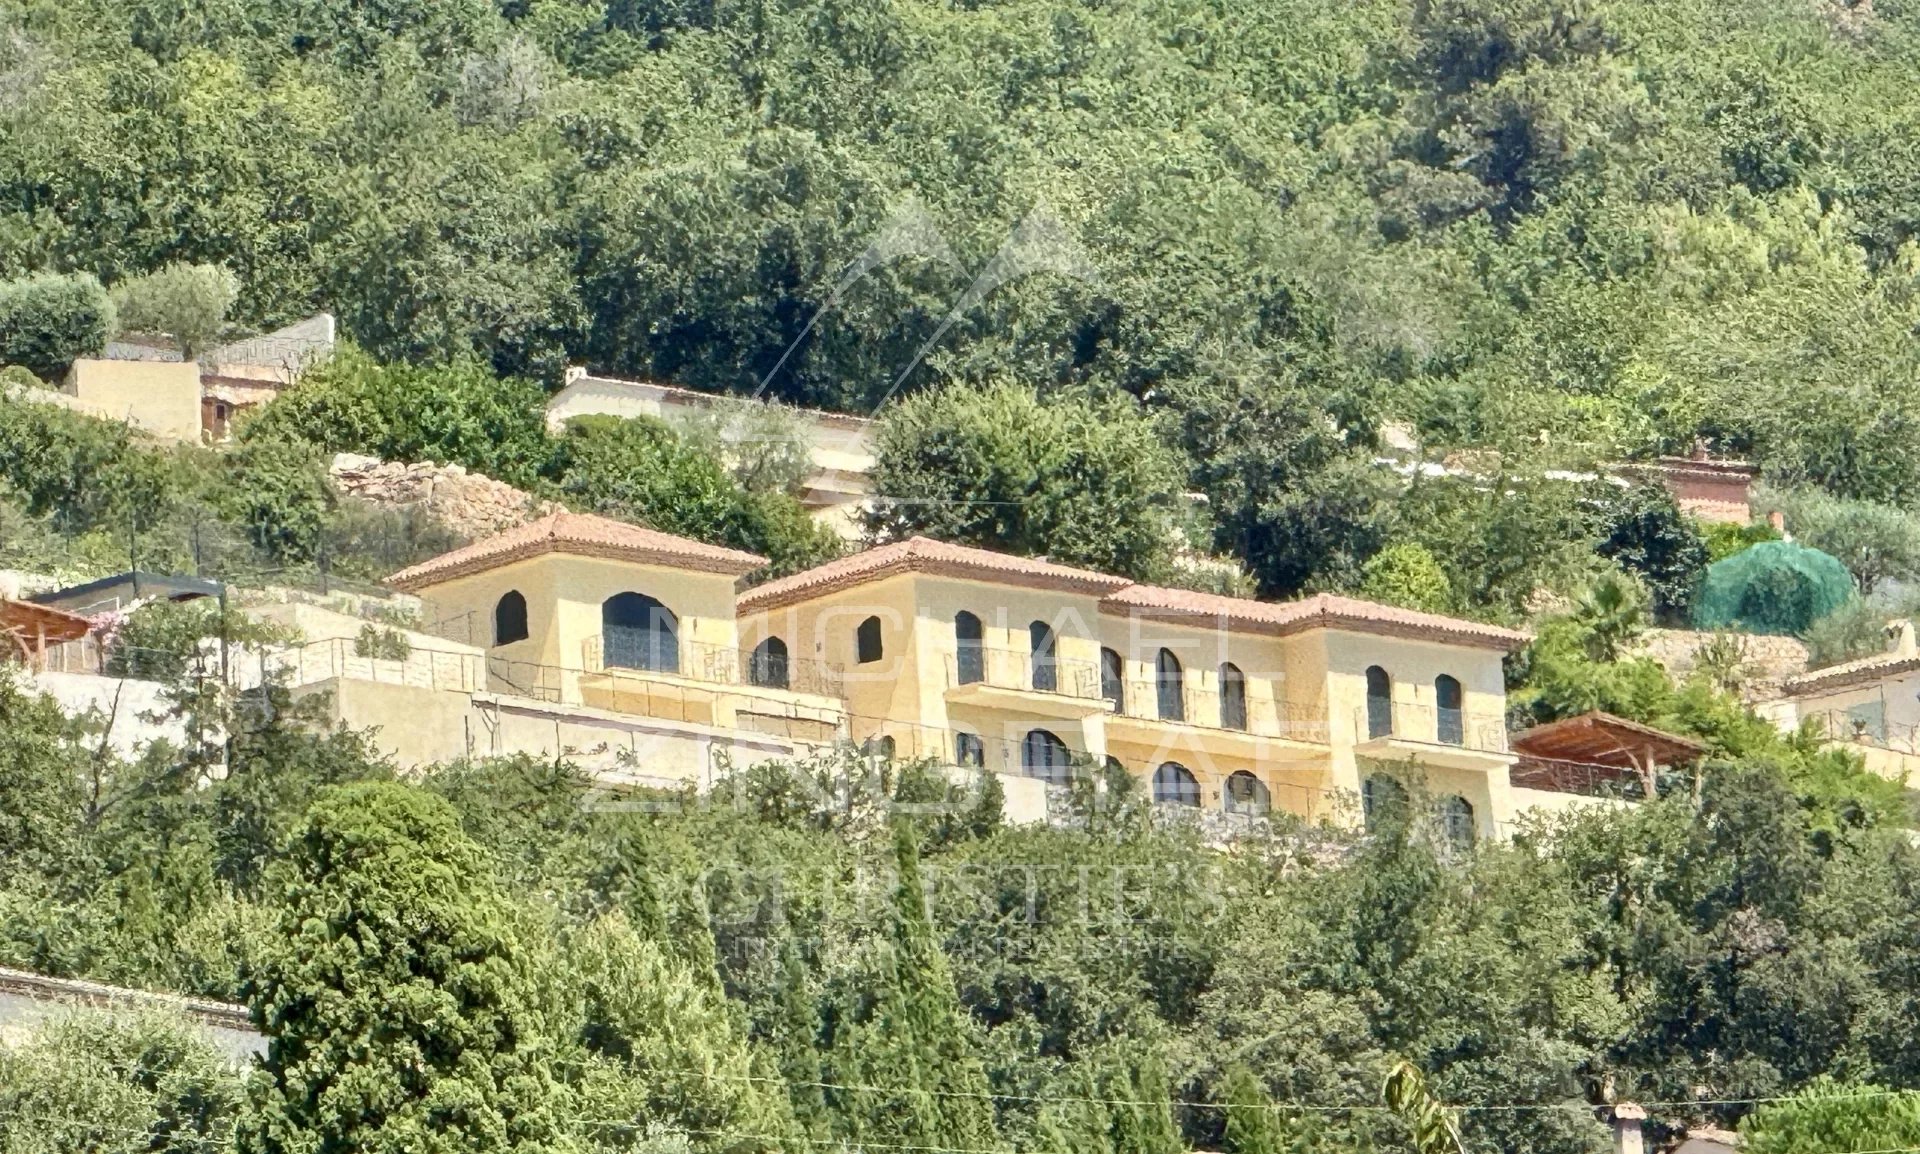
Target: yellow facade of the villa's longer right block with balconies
(1303, 733)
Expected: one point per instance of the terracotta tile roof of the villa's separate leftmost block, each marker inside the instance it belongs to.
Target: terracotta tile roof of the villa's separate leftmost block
(581, 535)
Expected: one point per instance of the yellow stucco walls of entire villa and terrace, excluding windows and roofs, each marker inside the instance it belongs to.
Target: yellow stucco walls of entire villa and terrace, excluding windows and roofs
(1307, 694)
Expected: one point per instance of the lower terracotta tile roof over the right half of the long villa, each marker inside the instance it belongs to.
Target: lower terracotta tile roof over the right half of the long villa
(1320, 612)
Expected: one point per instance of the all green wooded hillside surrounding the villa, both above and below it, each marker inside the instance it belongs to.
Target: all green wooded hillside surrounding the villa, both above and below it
(1128, 283)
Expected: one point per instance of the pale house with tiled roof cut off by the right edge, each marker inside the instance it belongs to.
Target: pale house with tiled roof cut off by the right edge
(1867, 706)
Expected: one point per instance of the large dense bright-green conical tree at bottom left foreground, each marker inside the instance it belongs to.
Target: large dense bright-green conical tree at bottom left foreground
(396, 1003)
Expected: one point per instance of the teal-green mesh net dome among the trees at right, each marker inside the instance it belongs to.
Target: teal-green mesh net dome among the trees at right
(1771, 589)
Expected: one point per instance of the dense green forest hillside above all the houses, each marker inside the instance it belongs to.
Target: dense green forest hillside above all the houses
(1573, 226)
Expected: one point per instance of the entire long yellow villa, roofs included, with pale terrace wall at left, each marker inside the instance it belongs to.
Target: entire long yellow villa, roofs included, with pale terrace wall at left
(930, 658)
